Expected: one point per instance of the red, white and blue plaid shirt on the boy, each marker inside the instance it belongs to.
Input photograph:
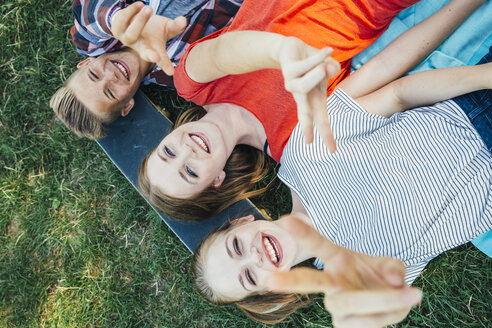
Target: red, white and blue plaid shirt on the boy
(92, 35)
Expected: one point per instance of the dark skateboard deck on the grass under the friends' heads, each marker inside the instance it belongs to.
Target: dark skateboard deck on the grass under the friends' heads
(129, 139)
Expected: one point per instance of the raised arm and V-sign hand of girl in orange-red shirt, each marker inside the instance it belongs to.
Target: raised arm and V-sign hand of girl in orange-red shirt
(305, 70)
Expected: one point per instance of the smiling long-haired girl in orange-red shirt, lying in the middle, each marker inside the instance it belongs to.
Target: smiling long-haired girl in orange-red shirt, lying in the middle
(248, 104)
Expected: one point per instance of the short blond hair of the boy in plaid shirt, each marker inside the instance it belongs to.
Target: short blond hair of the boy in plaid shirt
(76, 116)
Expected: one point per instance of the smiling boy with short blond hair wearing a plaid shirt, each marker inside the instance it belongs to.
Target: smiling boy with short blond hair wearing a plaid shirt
(102, 87)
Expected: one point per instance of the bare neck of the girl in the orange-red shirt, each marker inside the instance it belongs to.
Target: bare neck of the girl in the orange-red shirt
(238, 124)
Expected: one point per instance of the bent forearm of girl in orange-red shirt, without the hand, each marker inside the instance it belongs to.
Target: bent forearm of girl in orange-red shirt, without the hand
(233, 53)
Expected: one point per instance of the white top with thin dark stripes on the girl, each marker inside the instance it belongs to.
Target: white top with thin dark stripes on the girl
(411, 186)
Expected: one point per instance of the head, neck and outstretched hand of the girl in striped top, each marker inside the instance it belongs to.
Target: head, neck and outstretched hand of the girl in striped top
(247, 262)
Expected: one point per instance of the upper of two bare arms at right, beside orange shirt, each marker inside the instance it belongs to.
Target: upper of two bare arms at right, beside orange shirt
(409, 49)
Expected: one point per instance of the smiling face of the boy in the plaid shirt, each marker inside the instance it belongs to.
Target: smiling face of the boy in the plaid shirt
(106, 84)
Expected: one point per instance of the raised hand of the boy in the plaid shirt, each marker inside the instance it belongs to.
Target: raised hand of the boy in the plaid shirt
(138, 28)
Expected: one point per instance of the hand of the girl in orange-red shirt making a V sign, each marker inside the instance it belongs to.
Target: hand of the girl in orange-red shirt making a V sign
(306, 71)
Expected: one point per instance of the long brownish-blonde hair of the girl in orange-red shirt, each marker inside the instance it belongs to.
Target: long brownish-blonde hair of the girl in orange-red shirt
(244, 168)
